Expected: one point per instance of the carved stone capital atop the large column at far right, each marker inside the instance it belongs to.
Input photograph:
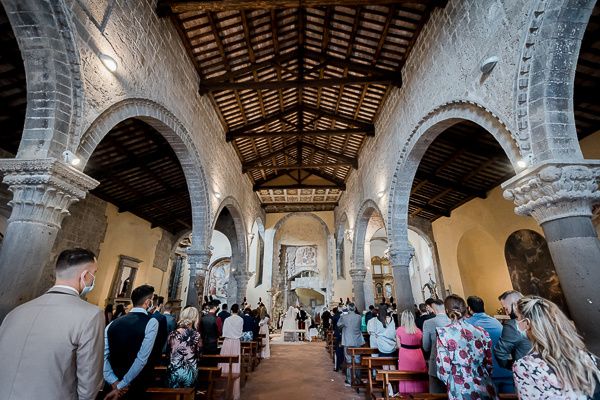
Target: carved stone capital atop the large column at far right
(552, 189)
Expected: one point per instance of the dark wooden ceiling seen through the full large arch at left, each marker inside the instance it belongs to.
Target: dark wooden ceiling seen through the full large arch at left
(139, 172)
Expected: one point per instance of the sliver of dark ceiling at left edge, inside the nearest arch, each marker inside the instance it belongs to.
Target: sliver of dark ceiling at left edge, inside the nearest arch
(13, 88)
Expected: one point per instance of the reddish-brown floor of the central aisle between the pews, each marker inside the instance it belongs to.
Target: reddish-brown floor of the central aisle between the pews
(302, 371)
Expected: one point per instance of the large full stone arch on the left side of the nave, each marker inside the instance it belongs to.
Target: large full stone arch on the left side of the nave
(161, 119)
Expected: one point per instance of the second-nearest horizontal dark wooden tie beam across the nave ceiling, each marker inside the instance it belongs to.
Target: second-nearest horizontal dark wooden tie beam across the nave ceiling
(387, 79)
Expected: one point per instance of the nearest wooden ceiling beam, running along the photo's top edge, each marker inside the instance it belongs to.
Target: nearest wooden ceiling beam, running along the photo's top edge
(179, 6)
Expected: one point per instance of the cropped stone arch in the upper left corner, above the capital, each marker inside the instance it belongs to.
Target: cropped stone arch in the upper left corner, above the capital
(44, 31)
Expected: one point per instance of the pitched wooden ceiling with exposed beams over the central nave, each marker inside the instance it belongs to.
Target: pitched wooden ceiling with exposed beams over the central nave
(298, 84)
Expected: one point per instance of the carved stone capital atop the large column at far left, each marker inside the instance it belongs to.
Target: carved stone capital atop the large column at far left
(43, 189)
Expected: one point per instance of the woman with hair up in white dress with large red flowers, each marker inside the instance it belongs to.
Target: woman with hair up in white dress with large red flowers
(464, 356)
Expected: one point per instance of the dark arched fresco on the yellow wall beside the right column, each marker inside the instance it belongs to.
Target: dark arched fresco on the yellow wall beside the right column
(531, 268)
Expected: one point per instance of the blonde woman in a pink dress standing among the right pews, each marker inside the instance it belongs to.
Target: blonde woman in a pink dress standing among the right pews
(410, 356)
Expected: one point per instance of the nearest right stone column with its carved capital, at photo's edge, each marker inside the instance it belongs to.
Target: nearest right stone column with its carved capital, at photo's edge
(560, 197)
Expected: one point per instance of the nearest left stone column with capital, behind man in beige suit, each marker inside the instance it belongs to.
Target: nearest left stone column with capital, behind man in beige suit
(43, 190)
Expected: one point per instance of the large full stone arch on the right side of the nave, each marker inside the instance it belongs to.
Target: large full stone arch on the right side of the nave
(426, 131)
